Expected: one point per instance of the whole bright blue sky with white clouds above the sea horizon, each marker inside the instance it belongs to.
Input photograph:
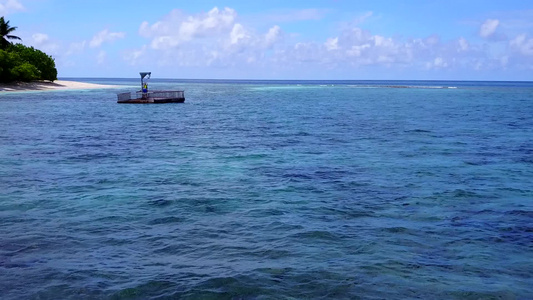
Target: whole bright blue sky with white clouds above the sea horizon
(289, 39)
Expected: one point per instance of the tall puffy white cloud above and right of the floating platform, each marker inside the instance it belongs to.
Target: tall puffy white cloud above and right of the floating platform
(214, 38)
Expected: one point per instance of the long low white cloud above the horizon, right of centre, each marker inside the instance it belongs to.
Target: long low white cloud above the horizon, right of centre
(356, 48)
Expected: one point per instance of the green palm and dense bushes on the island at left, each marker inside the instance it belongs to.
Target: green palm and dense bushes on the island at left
(22, 63)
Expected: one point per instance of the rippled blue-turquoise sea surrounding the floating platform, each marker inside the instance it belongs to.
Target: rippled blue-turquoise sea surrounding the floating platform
(269, 190)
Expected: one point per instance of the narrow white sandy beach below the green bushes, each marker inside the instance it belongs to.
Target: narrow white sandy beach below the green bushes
(51, 86)
